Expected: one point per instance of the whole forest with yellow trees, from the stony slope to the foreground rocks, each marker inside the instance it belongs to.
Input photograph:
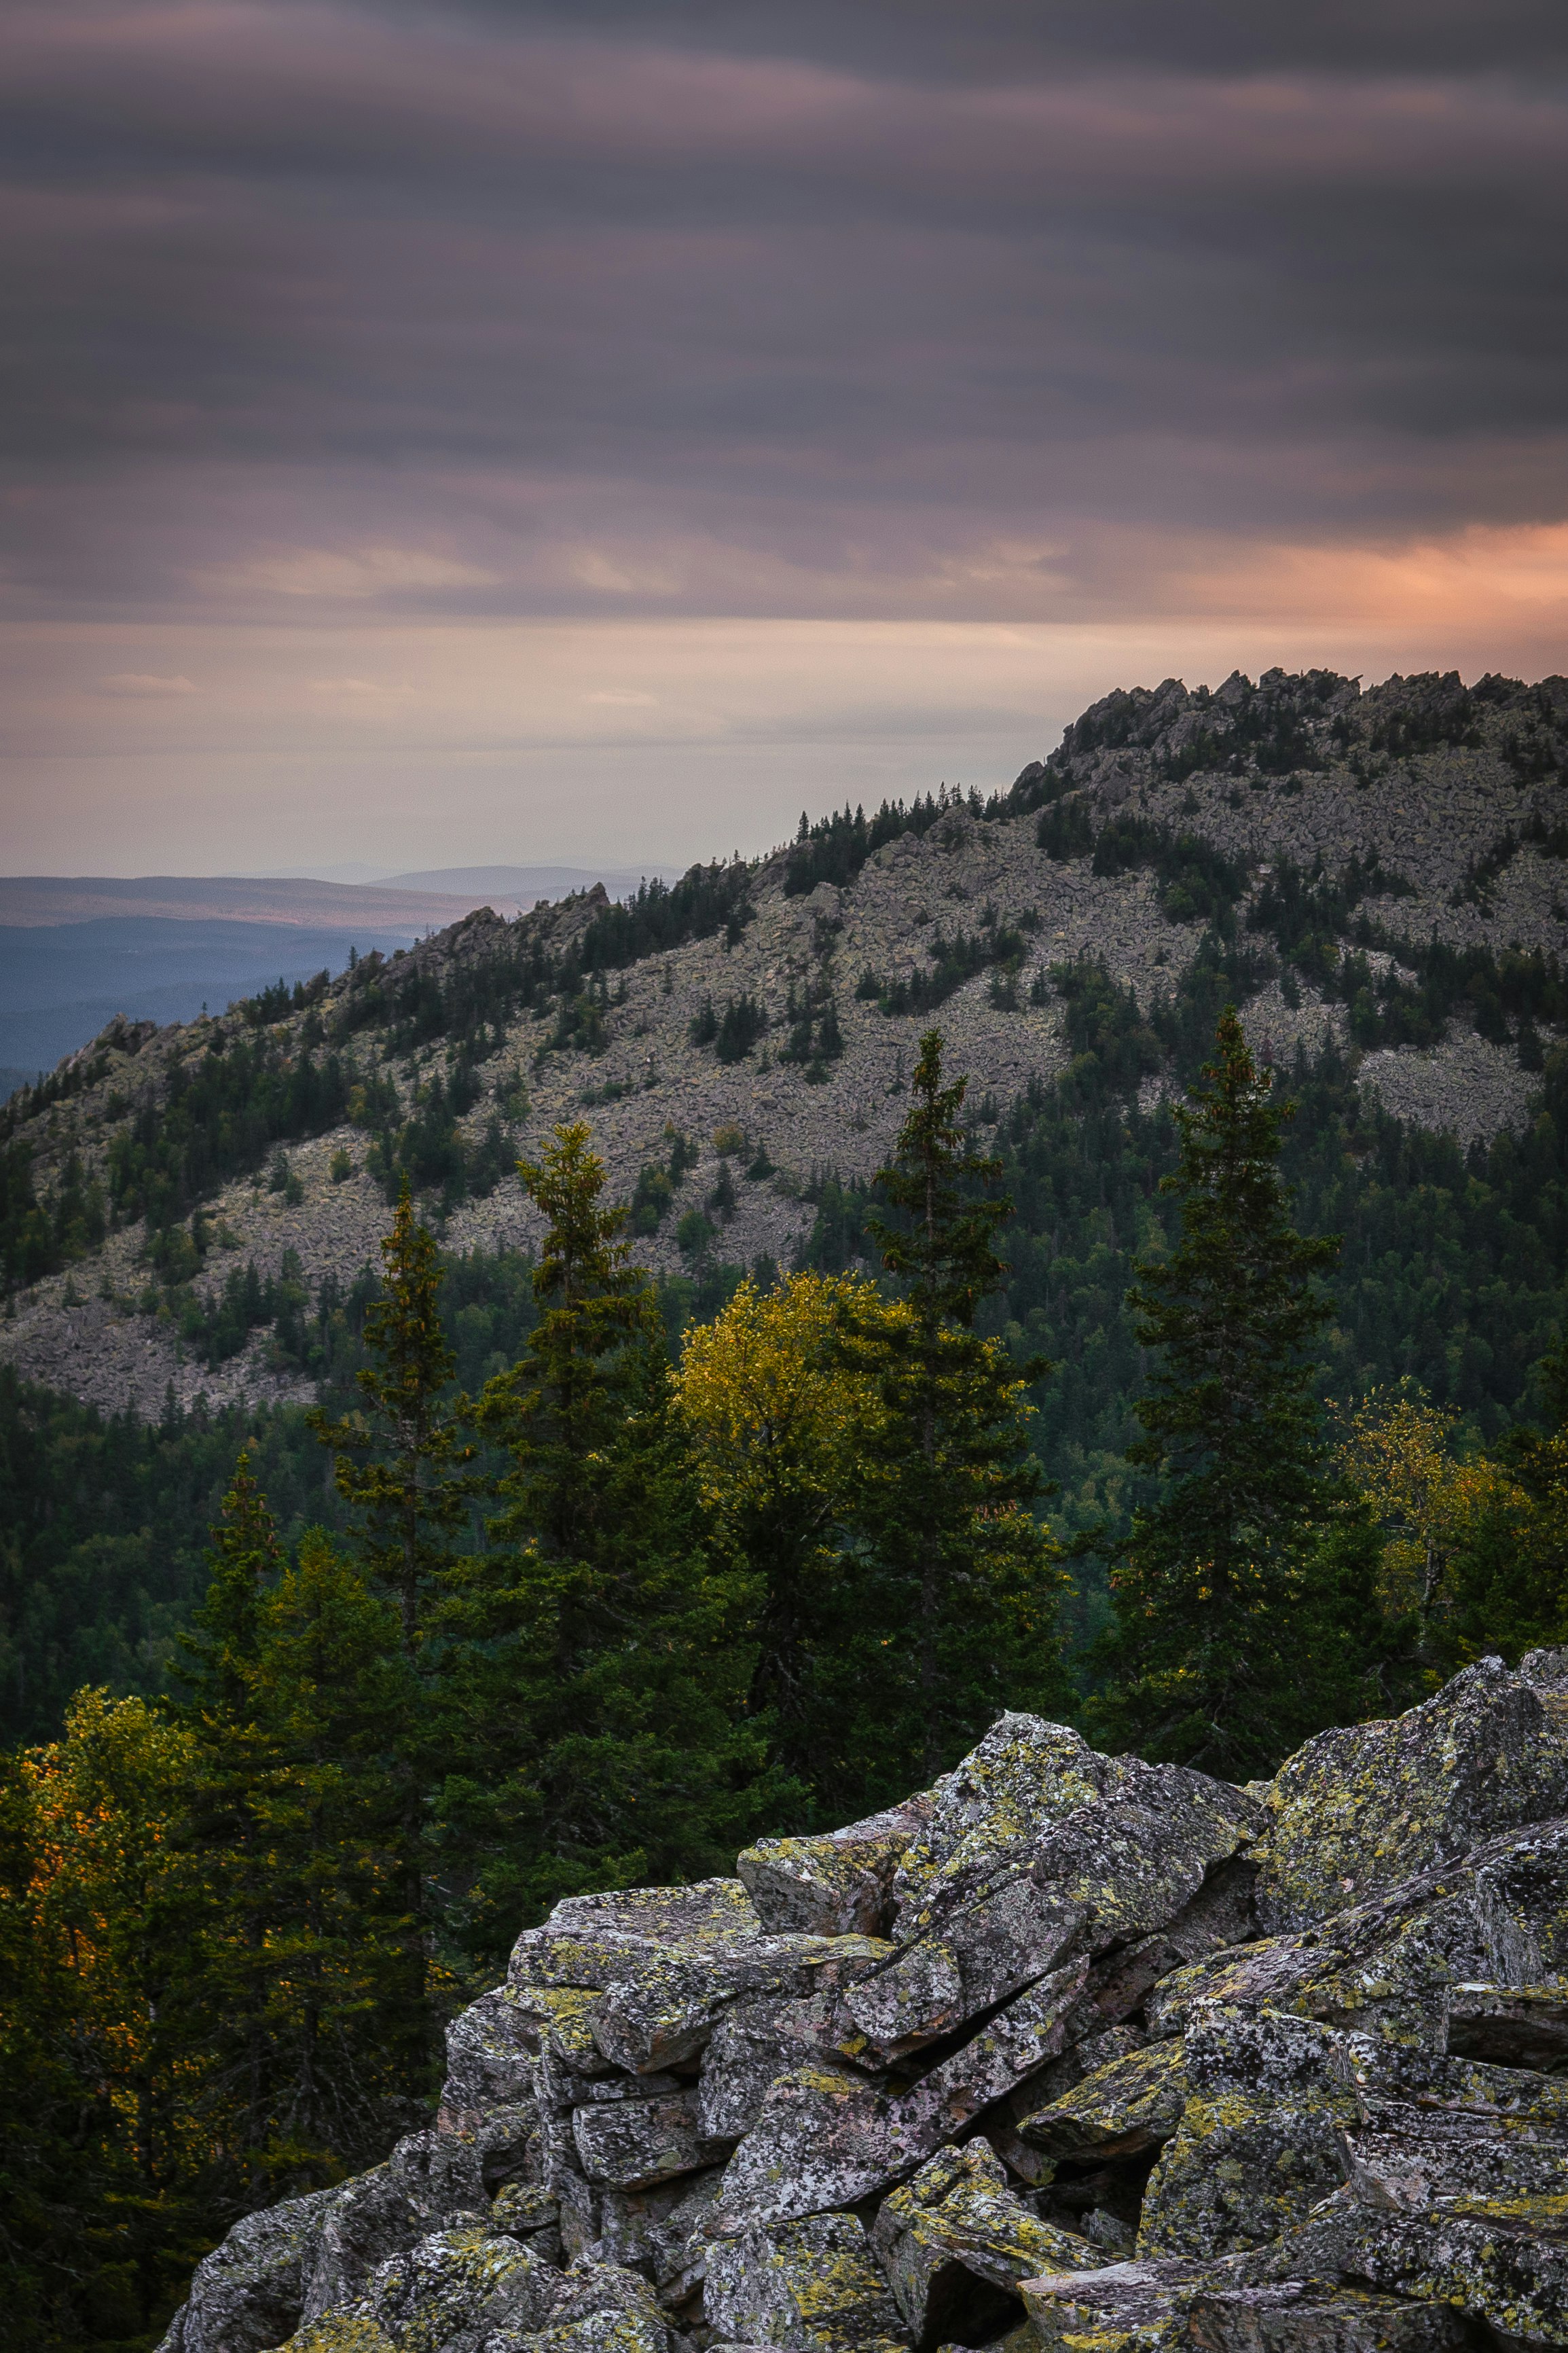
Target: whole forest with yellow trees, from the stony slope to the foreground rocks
(1202, 1427)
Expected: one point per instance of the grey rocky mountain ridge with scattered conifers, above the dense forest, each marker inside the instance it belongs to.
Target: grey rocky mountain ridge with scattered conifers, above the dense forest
(1391, 862)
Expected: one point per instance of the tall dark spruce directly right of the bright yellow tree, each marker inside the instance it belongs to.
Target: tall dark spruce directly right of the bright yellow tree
(970, 1585)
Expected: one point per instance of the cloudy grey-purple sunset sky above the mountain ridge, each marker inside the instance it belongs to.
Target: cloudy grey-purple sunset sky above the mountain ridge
(594, 434)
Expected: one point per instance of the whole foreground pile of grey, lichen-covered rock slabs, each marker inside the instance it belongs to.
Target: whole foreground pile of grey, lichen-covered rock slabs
(1071, 2051)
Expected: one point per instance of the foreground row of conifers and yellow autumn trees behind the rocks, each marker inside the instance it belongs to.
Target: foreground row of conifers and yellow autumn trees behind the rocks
(612, 1615)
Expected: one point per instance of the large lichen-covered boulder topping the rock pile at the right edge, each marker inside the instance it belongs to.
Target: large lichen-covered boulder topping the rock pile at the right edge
(1369, 1806)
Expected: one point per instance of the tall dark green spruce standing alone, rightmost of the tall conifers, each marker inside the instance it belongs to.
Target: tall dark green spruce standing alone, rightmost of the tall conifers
(1228, 1639)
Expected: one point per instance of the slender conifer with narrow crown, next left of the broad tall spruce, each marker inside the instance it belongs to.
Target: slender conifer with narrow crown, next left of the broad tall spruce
(406, 1469)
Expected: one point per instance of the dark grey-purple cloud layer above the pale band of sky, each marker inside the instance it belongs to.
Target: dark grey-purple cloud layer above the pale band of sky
(768, 298)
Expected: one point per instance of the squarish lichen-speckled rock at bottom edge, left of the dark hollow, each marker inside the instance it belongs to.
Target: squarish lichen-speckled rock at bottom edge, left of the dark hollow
(810, 2286)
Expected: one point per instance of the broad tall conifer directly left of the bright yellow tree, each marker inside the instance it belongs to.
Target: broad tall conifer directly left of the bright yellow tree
(603, 1686)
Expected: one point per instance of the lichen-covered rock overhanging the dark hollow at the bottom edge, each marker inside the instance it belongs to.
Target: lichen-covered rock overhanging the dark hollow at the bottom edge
(956, 2244)
